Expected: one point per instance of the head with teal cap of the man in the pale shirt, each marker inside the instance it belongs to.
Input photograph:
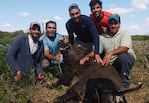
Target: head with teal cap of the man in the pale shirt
(114, 23)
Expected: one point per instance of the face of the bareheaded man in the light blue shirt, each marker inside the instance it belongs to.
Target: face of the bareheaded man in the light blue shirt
(51, 29)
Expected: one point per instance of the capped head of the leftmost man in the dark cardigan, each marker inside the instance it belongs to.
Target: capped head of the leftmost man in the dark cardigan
(34, 30)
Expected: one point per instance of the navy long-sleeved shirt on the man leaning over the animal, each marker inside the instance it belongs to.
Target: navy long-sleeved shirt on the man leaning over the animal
(85, 31)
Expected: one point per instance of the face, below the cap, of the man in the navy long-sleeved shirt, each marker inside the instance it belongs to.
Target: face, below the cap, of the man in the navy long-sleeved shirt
(75, 14)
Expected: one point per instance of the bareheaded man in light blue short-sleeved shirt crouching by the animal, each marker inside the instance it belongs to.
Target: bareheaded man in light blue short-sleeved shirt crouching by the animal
(51, 41)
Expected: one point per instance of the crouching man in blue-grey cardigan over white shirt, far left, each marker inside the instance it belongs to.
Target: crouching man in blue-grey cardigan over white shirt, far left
(25, 53)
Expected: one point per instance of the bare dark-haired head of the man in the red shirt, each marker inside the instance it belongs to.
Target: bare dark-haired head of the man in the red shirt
(96, 8)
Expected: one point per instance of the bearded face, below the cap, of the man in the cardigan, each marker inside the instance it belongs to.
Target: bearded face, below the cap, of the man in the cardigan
(35, 33)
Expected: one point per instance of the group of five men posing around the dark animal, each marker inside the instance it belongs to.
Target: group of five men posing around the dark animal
(99, 33)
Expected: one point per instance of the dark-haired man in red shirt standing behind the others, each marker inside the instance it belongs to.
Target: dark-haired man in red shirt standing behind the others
(99, 17)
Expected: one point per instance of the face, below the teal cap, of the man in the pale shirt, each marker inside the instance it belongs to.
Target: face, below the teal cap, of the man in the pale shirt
(113, 26)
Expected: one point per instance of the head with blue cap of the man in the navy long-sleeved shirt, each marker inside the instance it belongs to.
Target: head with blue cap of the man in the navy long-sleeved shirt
(74, 12)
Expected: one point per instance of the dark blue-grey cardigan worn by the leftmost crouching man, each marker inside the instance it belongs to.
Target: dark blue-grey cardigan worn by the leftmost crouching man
(20, 58)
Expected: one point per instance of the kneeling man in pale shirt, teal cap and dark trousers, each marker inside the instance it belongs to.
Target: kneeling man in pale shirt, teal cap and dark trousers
(117, 47)
